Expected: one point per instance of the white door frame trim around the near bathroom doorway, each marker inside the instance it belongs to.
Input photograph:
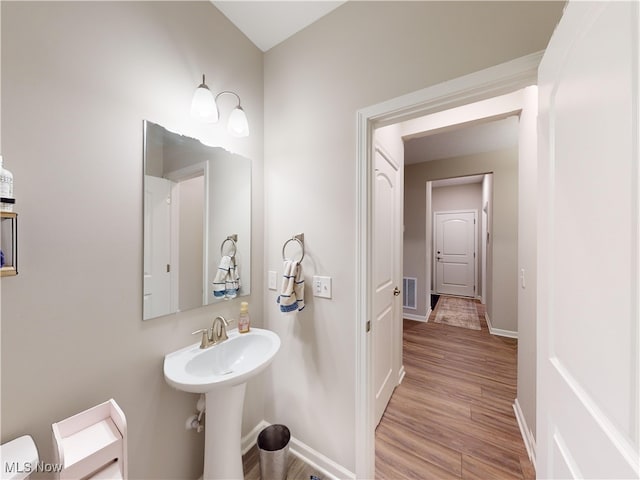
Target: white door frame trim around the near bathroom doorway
(482, 85)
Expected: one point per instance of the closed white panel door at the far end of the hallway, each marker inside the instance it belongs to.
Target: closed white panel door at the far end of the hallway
(455, 253)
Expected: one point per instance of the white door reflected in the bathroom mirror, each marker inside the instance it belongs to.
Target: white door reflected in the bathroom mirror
(157, 247)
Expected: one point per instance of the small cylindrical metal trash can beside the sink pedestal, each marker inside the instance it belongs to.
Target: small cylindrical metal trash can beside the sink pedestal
(273, 444)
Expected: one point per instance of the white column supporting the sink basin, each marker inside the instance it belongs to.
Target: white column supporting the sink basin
(223, 427)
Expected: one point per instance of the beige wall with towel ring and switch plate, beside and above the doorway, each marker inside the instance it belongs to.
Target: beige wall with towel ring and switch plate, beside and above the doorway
(359, 55)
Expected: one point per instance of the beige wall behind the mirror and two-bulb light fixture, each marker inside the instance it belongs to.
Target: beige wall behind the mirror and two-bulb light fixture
(78, 80)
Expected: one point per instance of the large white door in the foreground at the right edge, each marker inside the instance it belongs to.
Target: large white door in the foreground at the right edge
(588, 333)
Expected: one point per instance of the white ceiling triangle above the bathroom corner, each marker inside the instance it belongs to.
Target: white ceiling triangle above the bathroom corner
(268, 23)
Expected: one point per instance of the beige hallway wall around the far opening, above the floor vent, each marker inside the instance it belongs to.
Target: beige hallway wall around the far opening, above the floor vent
(502, 270)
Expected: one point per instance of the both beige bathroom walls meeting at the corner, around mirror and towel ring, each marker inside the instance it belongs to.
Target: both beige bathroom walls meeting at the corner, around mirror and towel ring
(78, 78)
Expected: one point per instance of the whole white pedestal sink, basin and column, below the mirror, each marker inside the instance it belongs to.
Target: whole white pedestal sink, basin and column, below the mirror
(221, 373)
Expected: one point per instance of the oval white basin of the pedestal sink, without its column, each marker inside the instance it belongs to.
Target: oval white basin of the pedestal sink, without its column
(230, 363)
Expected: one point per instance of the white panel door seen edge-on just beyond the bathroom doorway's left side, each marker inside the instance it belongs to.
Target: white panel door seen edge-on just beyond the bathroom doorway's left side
(387, 272)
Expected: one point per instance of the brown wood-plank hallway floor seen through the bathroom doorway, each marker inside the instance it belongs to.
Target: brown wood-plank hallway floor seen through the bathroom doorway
(452, 416)
